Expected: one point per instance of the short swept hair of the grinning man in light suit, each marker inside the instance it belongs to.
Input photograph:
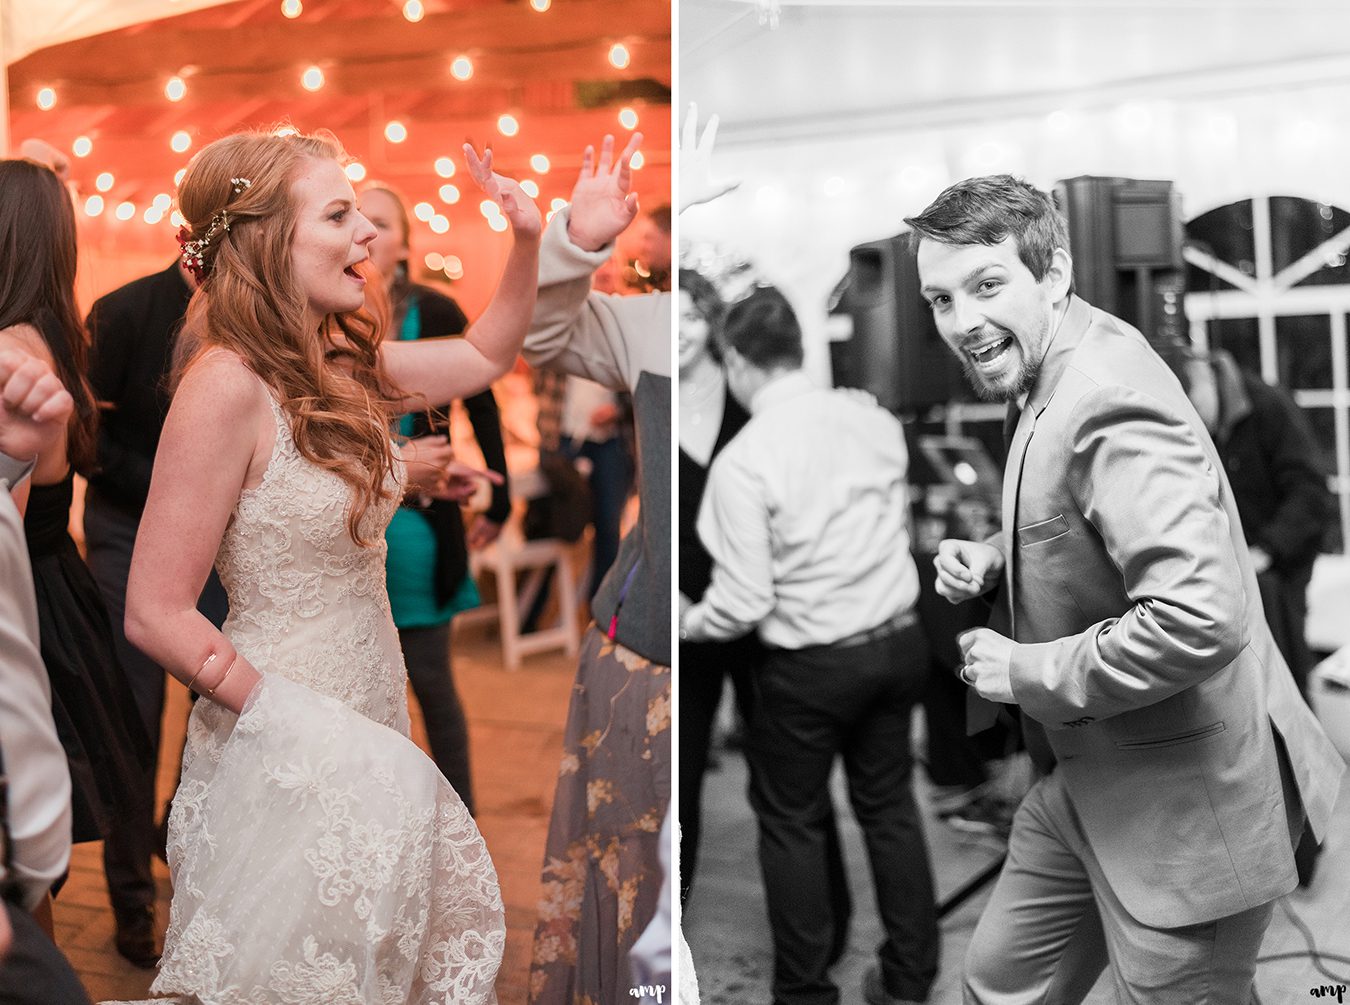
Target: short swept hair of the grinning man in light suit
(990, 210)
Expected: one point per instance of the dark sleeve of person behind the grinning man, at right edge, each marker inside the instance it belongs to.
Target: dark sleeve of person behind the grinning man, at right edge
(1295, 530)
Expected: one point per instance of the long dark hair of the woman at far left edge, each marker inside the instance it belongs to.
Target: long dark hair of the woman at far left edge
(38, 287)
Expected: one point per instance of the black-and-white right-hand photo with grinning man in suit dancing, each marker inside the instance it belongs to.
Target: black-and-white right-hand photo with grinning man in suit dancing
(1015, 492)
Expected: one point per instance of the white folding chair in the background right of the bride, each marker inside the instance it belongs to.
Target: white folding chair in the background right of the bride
(510, 556)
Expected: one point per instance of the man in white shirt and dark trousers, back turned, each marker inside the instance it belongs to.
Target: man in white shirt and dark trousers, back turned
(805, 518)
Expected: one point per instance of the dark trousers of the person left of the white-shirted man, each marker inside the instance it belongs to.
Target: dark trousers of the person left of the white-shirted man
(705, 667)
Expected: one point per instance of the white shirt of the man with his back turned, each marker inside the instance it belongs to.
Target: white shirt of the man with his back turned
(805, 518)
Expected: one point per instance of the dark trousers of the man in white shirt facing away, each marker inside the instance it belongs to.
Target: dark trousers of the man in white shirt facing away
(816, 704)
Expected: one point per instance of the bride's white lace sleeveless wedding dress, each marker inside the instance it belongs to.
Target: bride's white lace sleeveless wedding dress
(318, 856)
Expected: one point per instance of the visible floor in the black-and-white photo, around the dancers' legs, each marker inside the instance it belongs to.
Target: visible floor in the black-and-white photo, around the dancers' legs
(728, 934)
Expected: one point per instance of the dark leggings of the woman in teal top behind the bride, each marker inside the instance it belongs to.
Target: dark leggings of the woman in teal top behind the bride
(427, 656)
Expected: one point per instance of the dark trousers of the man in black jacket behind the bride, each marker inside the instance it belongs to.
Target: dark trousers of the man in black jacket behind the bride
(110, 536)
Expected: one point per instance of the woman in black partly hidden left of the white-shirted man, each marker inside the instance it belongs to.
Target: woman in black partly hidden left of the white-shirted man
(709, 418)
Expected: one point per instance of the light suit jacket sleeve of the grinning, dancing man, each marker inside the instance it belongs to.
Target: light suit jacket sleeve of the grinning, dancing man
(1145, 483)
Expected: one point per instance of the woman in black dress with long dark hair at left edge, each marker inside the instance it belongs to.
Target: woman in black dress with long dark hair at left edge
(91, 700)
